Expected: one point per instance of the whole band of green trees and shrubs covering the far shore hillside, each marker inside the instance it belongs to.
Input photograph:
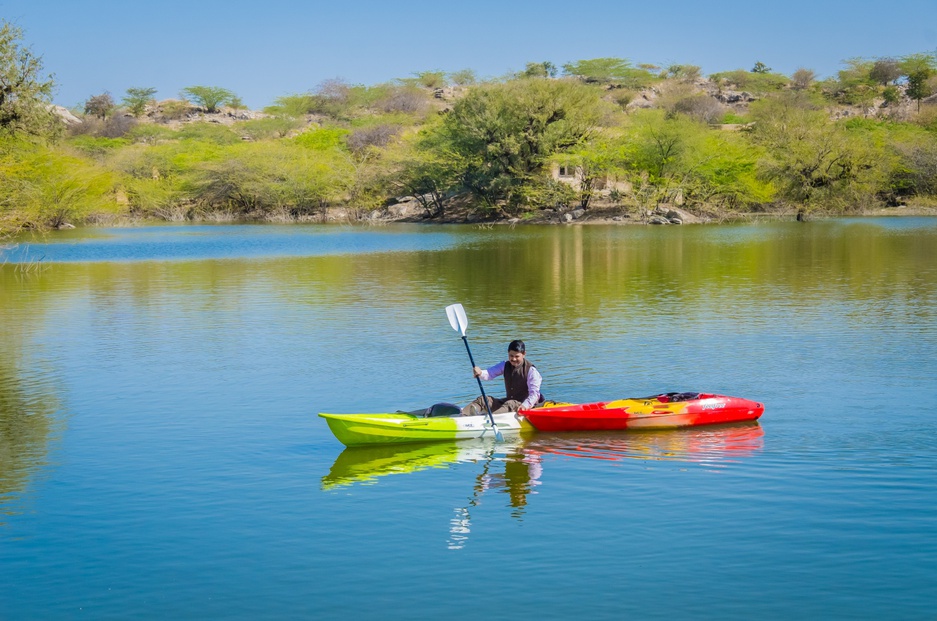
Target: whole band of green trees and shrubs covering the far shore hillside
(593, 132)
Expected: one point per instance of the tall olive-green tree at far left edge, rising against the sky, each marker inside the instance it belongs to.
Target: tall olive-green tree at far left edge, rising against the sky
(25, 96)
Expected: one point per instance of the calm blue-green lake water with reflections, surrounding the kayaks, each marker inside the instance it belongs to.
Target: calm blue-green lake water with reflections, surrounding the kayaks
(160, 456)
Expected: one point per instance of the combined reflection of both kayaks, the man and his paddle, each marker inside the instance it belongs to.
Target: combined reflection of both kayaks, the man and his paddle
(515, 467)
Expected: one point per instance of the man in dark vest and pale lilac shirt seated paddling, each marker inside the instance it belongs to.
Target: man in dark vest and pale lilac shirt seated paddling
(521, 383)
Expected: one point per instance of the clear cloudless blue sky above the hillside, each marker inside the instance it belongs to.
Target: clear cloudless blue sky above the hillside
(264, 49)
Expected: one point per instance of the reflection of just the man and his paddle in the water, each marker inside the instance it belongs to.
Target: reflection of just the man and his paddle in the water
(522, 471)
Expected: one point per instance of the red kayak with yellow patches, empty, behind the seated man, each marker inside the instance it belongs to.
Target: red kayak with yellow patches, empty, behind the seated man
(668, 410)
